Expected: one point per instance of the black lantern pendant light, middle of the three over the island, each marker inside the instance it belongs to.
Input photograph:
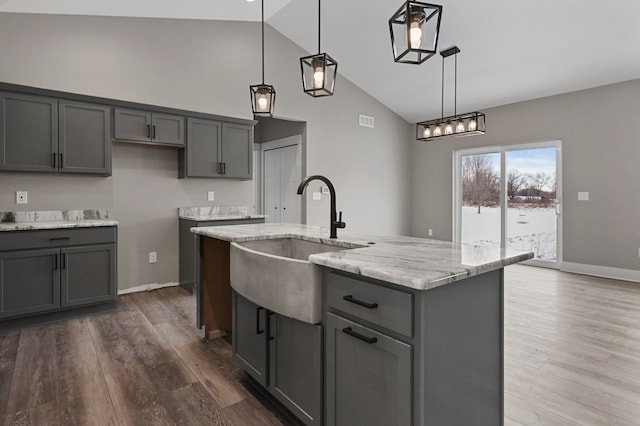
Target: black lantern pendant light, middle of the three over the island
(318, 71)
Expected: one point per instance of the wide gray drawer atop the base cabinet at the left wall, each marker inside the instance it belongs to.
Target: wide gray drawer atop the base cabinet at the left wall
(20, 240)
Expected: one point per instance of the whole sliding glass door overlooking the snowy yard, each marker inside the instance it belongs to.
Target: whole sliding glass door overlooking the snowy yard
(510, 197)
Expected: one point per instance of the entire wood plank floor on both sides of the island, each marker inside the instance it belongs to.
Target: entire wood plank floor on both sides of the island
(572, 357)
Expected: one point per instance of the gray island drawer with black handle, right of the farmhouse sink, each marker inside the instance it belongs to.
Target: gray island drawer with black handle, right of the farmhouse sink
(386, 307)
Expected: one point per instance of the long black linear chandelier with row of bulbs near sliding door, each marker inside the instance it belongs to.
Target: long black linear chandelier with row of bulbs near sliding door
(472, 123)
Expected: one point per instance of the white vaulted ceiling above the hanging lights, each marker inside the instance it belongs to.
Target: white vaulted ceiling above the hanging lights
(510, 50)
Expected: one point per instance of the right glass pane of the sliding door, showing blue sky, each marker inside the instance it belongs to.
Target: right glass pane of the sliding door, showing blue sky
(532, 201)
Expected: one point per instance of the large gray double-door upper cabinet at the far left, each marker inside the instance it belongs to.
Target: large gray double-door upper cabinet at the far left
(40, 134)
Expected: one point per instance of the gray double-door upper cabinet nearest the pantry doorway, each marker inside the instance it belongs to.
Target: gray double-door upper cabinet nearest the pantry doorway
(217, 149)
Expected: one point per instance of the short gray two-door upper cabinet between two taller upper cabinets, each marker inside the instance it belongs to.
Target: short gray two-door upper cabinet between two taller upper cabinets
(148, 127)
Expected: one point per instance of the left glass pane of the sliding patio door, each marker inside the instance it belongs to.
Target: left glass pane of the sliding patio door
(480, 214)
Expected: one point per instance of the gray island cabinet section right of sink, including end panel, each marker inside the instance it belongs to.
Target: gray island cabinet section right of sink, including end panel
(399, 356)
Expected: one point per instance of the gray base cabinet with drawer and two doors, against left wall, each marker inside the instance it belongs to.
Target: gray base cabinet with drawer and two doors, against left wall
(52, 270)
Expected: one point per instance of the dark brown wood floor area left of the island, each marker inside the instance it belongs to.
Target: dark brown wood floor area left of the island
(142, 364)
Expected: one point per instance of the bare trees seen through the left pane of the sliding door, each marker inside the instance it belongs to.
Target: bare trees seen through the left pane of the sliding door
(480, 182)
